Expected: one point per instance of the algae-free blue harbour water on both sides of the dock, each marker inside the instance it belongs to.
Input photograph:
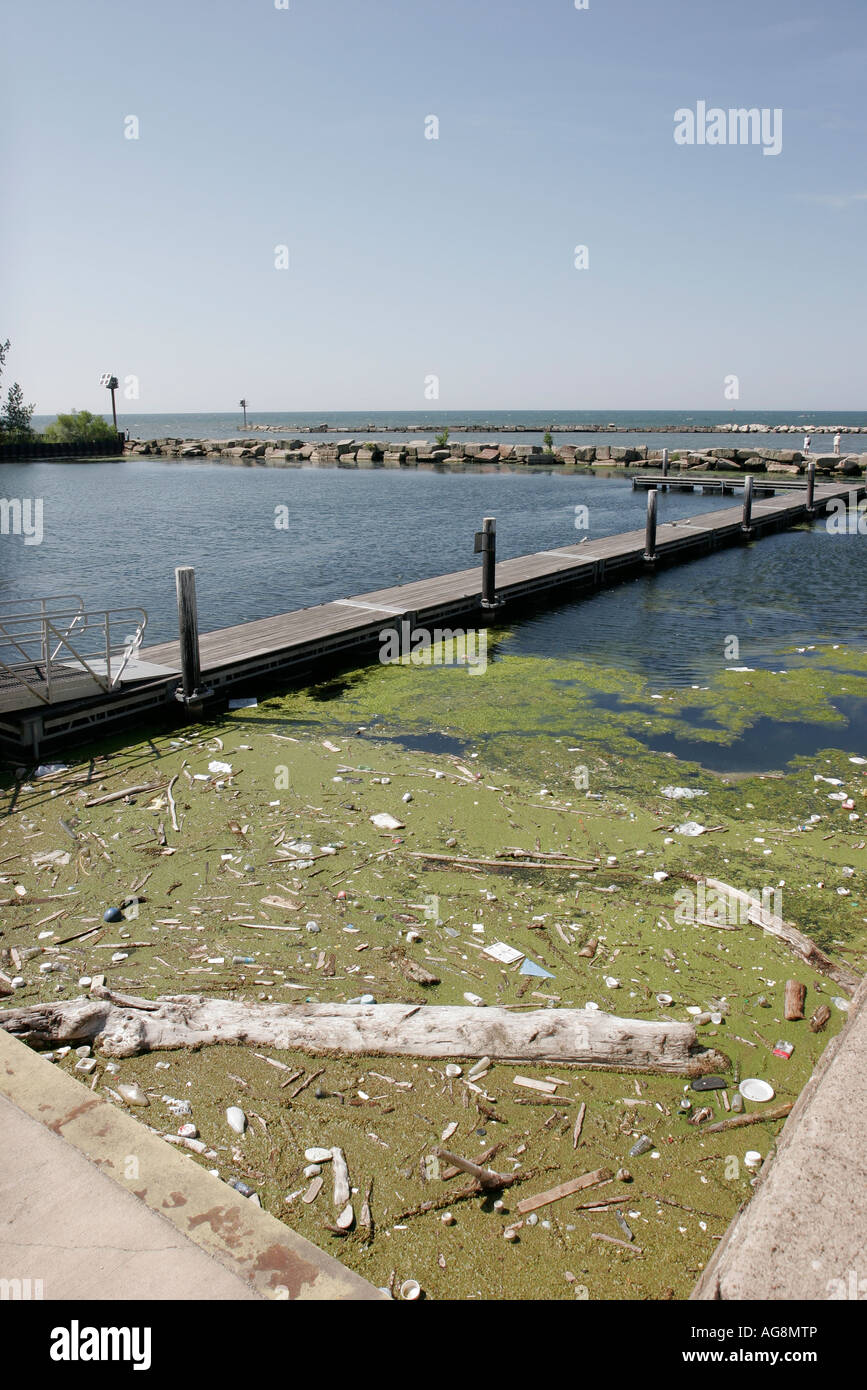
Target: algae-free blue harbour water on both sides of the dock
(115, 533)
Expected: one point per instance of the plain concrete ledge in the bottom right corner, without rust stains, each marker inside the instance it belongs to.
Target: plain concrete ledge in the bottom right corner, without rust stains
(805, 1232)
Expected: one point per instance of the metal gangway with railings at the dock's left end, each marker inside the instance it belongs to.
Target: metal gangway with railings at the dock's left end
(53, 650)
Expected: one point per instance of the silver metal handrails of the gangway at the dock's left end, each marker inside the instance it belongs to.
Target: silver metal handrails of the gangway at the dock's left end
(52, 635)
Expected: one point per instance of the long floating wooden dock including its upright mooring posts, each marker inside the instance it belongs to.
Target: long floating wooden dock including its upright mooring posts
(304, 644)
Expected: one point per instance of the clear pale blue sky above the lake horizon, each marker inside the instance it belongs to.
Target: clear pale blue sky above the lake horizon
(305, 127)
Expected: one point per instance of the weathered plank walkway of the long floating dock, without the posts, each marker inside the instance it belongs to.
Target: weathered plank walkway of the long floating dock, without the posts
(295, 643)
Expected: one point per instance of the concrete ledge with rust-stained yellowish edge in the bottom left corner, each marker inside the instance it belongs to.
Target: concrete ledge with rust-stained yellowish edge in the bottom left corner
(97, 1206)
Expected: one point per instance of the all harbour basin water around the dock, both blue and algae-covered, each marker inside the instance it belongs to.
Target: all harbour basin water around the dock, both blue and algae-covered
(708, 721)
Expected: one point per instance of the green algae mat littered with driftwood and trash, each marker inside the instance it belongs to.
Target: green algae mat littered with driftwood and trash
(280, 886)
